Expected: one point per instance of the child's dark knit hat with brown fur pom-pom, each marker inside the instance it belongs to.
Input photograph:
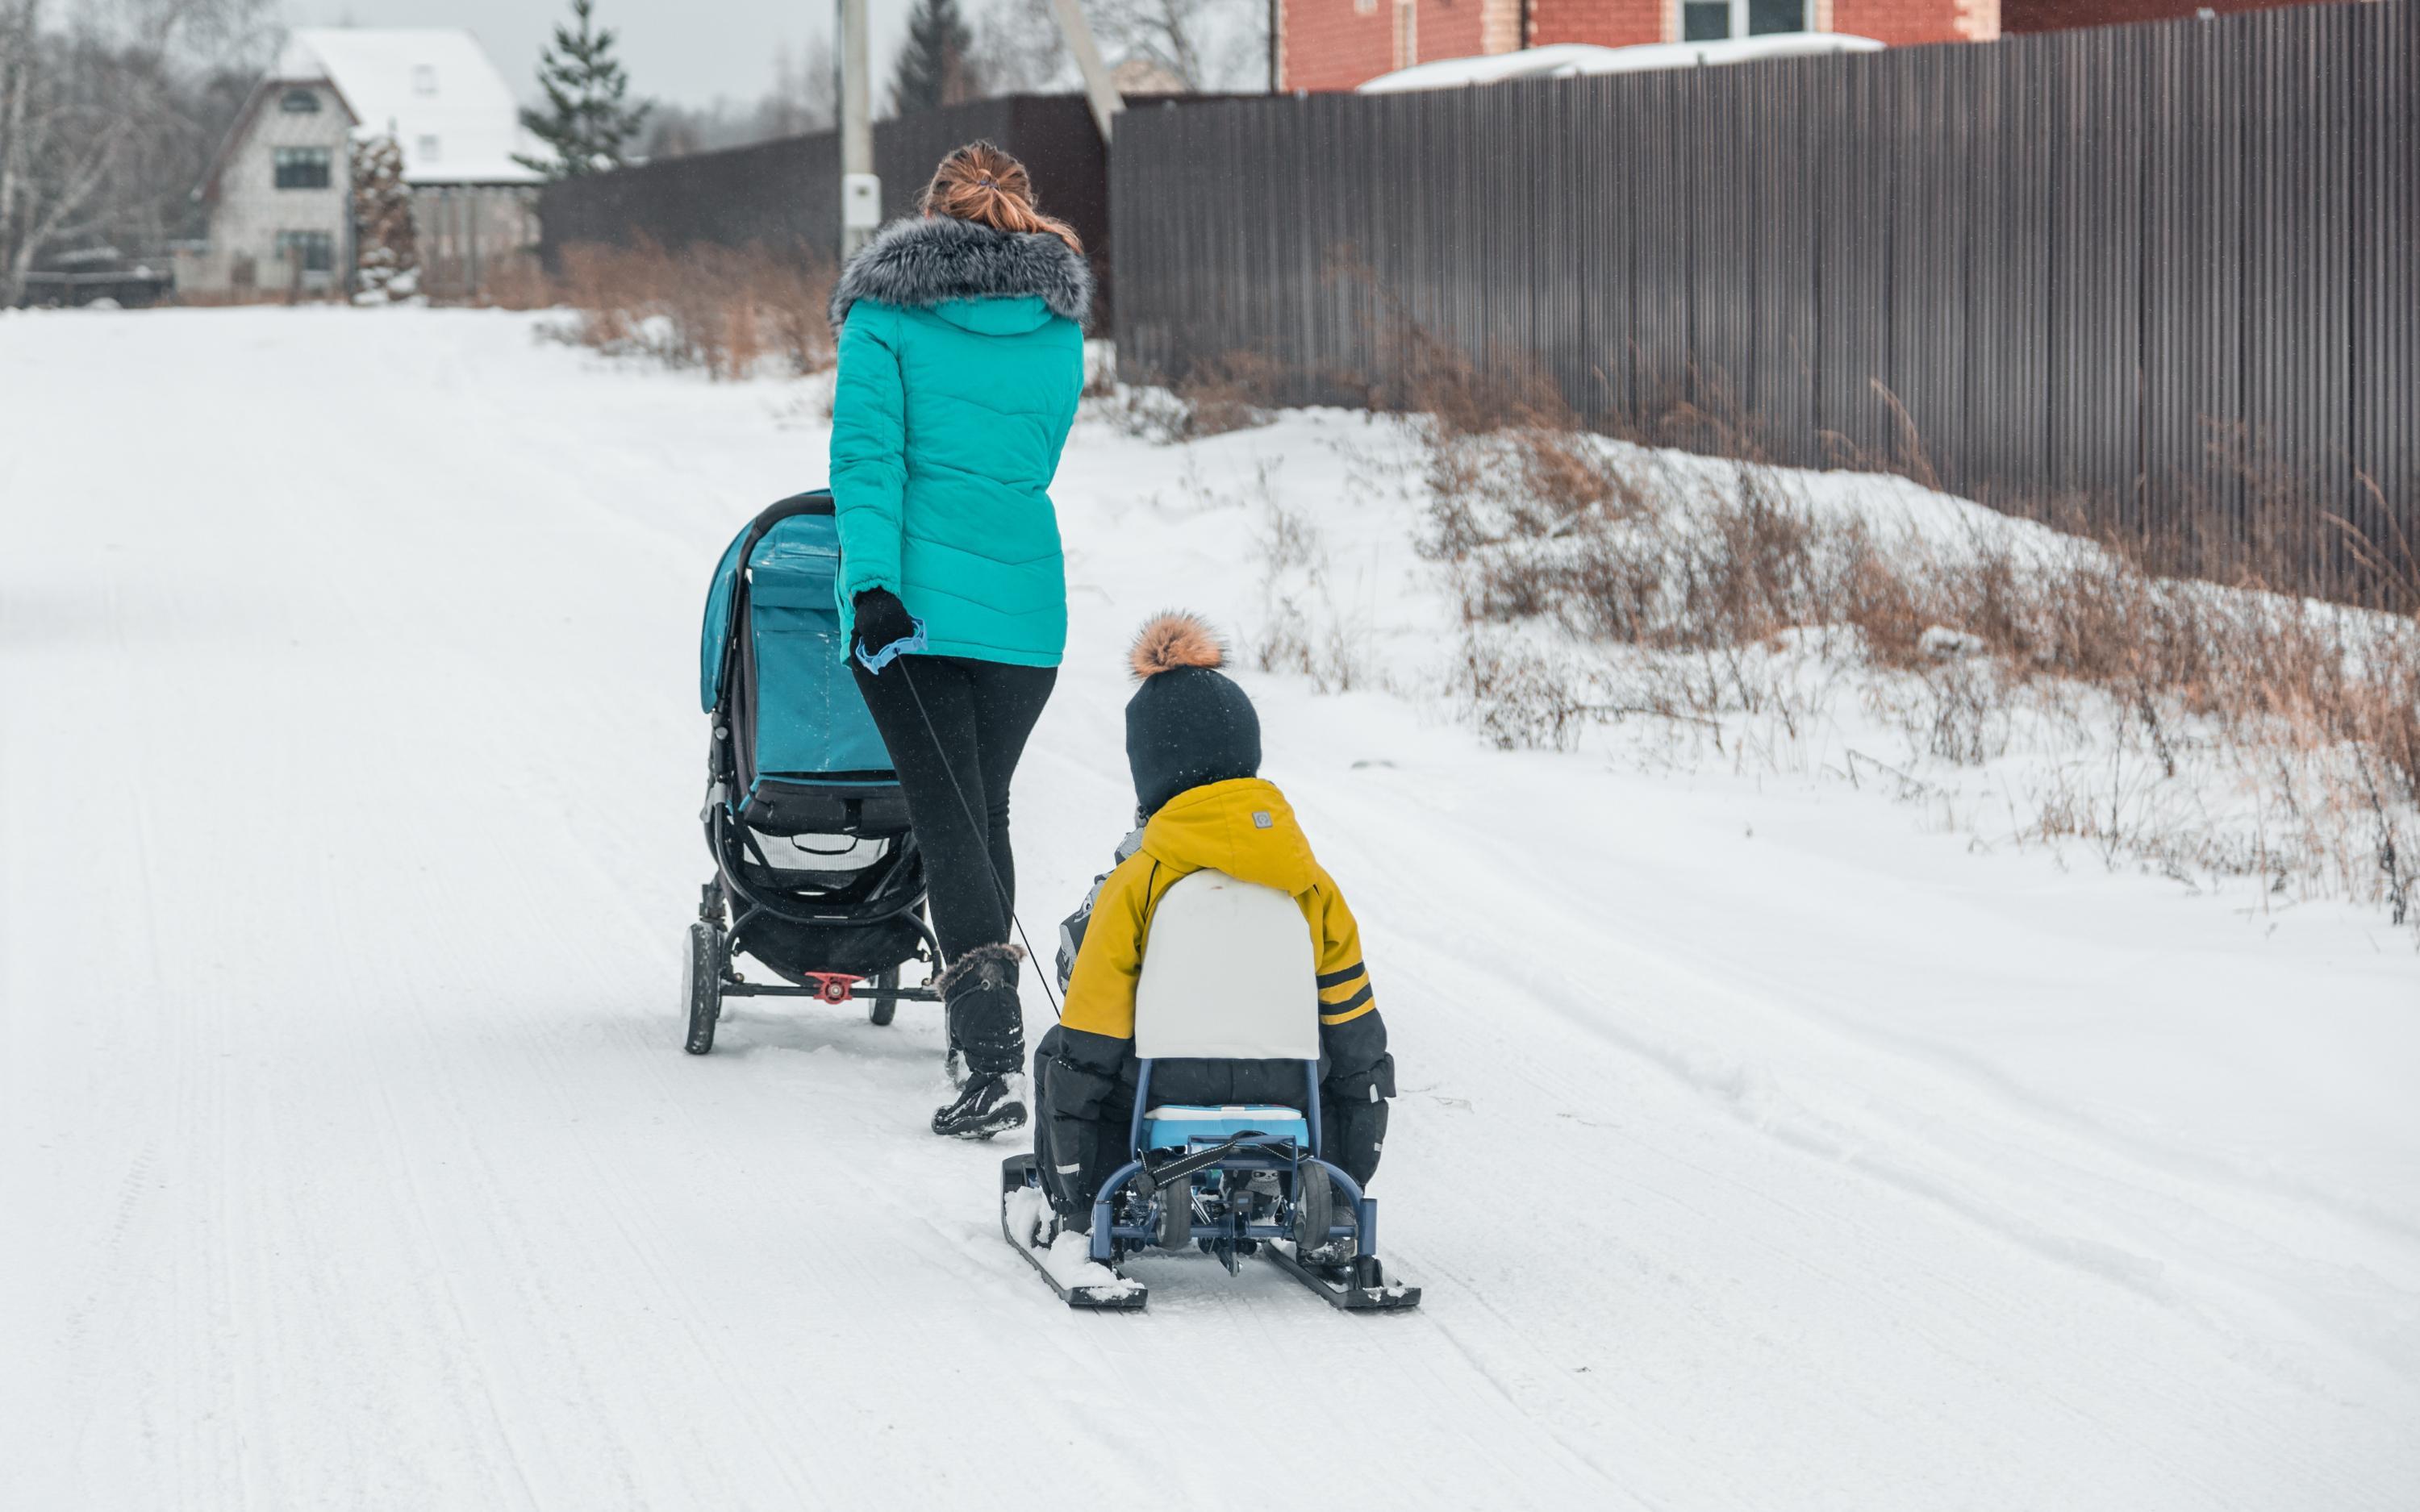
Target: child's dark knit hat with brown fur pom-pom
(1187, 725)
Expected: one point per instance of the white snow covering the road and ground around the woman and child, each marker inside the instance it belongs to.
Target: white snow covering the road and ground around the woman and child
(1761, 1148)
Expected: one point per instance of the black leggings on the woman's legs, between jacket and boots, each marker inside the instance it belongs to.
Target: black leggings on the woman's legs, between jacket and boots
(957, 778)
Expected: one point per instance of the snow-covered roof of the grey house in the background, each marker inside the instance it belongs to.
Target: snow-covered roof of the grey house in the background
(432, 86)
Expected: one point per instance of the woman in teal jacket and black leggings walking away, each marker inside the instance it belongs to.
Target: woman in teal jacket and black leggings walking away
(962, 354)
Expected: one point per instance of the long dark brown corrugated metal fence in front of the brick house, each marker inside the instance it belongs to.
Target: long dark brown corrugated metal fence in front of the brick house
(2148, 279)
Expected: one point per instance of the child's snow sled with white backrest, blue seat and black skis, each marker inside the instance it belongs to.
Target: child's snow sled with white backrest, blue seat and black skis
(1228, 974)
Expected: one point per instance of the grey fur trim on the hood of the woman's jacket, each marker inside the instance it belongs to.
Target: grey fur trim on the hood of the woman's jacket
(930, 260)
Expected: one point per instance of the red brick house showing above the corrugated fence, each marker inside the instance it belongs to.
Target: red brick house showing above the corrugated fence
(1337, 45)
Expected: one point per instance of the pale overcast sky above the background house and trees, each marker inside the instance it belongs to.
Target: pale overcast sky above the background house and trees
(676, 50)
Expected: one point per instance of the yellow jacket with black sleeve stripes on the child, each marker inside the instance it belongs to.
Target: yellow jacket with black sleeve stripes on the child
(1248, 831)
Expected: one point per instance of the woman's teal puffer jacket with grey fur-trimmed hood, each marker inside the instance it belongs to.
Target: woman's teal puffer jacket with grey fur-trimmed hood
(962, 354)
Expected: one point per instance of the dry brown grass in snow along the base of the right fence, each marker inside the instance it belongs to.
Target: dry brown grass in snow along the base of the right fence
(2199, 727)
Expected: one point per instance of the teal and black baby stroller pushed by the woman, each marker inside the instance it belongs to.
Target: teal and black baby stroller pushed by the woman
(817, 875)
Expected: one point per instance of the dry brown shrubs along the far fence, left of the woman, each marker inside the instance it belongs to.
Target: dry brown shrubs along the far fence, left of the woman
(718, 308)
